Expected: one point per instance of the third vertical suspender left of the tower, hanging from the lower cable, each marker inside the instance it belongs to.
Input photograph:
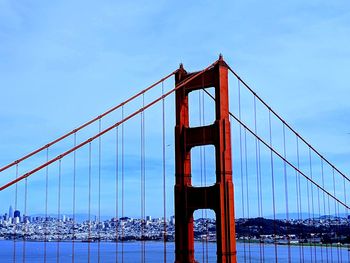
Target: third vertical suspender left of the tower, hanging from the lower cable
(116, 192)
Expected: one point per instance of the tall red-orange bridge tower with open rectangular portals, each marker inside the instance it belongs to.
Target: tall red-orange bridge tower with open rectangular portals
(220, 196)
